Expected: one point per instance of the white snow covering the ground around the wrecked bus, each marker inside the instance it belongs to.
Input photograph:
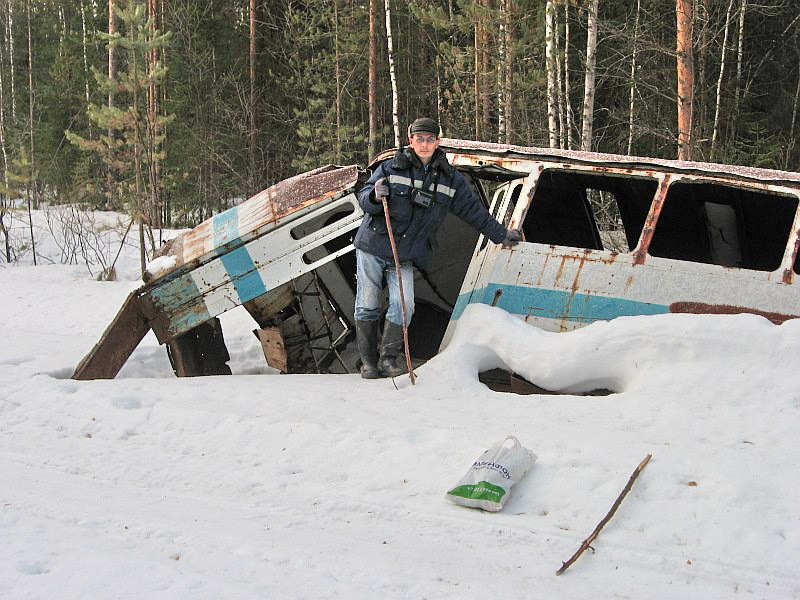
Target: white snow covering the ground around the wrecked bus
(259, 485)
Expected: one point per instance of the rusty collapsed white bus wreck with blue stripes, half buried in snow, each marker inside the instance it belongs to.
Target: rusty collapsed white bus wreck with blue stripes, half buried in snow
(604, 236)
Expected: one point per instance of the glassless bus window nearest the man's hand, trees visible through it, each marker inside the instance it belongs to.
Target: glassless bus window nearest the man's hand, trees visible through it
(589, 210)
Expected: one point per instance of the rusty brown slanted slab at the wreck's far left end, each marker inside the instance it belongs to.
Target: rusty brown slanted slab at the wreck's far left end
(116, 344)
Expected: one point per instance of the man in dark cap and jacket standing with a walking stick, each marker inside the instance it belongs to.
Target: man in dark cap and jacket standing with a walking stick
(421, 187)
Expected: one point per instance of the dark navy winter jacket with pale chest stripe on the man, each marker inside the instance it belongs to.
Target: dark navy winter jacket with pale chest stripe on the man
(415, 226)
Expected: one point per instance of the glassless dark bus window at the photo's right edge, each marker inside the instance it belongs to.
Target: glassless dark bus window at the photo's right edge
(724, 225)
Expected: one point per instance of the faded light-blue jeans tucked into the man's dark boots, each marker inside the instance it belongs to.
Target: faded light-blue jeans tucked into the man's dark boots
(370, 273)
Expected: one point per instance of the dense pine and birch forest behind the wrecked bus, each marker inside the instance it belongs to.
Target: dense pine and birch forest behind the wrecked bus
(173, 110)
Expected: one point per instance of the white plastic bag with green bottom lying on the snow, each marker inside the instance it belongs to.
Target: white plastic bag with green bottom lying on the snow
(487, 484)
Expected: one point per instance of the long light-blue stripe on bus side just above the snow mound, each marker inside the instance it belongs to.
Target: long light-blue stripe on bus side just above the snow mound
(555, 304)
